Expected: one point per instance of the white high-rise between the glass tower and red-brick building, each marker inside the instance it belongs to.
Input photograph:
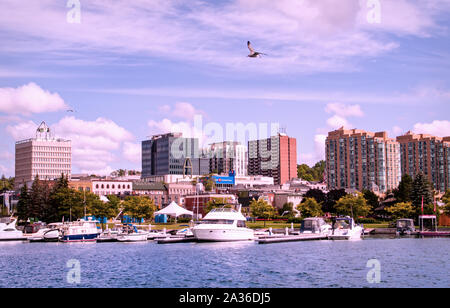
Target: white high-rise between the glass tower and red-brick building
(226, 156)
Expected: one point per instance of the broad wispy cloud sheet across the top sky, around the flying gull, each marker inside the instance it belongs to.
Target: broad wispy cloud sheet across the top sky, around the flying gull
(303, 36)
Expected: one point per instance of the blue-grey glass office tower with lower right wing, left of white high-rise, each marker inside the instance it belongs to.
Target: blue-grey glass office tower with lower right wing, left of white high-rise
(172, 154)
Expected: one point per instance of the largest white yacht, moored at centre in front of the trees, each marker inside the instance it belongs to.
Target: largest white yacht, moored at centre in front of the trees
(223, 225)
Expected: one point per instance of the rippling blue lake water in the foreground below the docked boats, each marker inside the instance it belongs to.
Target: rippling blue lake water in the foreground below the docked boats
(407, 262)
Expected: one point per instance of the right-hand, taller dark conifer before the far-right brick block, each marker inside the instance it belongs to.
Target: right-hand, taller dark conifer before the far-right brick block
(421, 190)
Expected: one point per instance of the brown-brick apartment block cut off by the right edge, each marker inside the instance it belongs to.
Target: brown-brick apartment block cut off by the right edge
(427, 154)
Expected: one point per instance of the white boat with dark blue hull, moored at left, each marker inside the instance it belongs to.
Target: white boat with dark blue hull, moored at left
(80, 231)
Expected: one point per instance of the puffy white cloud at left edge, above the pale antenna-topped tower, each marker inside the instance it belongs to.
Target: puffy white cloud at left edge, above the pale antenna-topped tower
(29, 99)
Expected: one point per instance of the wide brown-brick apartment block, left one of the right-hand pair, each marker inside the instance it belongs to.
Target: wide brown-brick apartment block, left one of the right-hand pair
(357, 159)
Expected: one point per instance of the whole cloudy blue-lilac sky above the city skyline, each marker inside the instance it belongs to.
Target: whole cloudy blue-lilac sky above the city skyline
(132, 70)
